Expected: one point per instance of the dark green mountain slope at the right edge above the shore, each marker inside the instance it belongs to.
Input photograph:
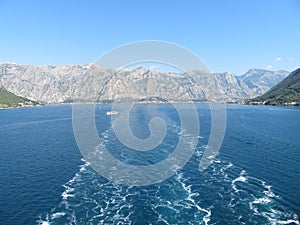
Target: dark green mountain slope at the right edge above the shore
(287, 92)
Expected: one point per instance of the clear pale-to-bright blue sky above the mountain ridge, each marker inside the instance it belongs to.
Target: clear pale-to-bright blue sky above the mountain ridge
(227, 35)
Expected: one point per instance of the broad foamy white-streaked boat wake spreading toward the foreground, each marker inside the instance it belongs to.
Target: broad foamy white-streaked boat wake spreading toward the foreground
(222, 194)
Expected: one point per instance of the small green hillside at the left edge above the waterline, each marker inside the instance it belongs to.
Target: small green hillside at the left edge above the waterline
(9, 100)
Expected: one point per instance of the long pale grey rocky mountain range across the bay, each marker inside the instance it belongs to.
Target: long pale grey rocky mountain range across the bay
(89, 83)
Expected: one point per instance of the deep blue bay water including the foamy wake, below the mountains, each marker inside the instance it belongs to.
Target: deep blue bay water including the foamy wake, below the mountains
(254, 180)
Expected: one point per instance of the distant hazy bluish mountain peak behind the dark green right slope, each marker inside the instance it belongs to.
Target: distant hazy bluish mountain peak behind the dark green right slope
(260, 80)
